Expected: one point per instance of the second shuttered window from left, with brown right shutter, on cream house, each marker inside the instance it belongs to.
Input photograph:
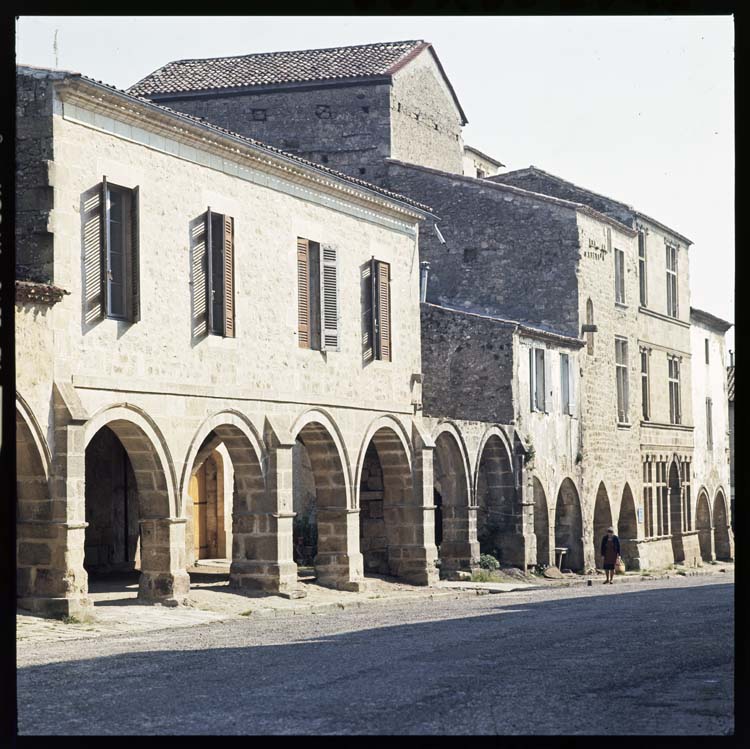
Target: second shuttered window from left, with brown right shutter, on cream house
(219, 233)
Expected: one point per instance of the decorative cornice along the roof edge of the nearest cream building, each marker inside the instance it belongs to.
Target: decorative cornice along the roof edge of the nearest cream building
(101, 99)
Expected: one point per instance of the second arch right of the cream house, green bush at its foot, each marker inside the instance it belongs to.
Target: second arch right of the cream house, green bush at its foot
(499, 521)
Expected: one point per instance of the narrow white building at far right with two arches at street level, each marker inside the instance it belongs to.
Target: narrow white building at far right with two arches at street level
(711, 417)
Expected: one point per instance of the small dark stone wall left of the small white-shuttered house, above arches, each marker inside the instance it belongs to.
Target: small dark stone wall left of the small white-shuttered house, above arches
(468, 366)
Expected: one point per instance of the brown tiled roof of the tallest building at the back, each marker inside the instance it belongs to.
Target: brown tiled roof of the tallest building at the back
(265, 68)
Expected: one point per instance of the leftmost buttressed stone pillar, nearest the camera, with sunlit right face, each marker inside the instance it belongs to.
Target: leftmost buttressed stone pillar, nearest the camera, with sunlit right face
(50, 544)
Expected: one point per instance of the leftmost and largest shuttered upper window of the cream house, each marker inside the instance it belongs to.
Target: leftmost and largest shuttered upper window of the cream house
(119, 252)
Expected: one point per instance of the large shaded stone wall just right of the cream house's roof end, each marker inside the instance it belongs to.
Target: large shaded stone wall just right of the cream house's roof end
(507, 253)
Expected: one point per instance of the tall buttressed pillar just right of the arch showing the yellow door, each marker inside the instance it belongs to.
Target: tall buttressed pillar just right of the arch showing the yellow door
(262, 537)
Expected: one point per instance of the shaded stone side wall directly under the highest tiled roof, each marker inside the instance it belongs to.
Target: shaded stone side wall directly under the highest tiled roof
(344, 127)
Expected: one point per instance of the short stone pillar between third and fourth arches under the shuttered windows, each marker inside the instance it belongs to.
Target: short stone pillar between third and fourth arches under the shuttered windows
(339, 563)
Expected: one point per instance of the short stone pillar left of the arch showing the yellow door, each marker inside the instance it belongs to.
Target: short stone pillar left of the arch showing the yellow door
(163, 561)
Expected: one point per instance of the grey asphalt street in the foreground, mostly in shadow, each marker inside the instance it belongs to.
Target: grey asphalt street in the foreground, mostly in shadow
(651, 657)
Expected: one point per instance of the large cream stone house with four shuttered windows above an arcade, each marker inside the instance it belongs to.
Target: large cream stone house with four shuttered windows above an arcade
(193, 309)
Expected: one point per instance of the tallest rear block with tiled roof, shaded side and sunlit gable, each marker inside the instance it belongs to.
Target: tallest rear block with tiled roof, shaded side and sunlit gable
(347, 107)
